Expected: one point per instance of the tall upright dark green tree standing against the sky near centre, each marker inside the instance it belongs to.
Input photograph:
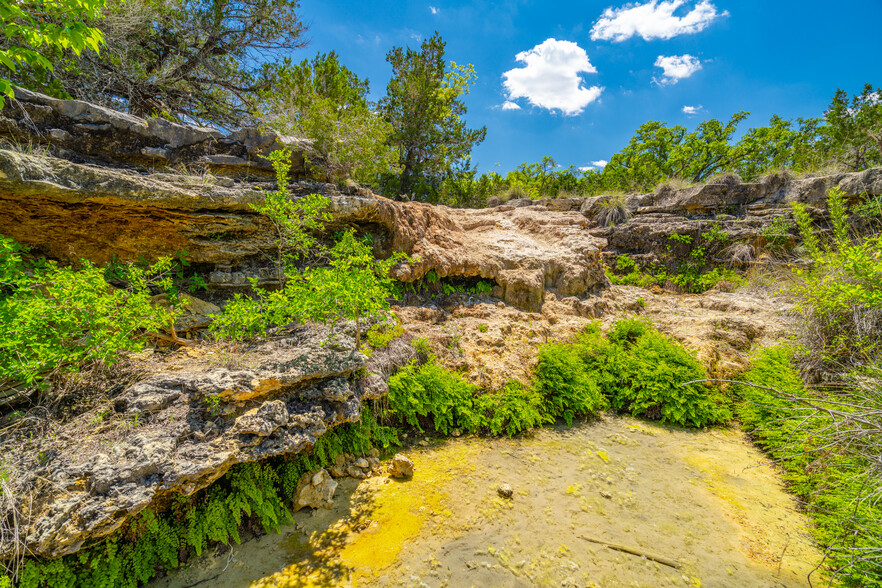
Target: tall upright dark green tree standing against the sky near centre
(424, 104)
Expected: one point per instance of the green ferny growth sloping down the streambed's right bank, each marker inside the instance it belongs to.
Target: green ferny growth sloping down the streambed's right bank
(823, 465)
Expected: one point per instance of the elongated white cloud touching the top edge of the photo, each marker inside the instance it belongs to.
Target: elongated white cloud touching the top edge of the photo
(653, 20)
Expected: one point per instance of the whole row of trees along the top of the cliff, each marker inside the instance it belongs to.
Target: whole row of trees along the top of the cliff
(194, 61)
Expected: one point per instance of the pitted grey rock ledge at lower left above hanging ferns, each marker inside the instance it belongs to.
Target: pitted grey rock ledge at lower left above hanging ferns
(197, 414)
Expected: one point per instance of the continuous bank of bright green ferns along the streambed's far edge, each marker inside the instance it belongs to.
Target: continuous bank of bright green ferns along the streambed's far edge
(635, 370)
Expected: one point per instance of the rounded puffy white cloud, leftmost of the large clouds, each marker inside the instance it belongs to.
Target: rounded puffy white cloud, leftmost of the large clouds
(551, 77)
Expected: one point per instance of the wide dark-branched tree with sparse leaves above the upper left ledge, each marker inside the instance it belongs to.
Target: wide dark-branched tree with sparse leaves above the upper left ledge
(187, 60)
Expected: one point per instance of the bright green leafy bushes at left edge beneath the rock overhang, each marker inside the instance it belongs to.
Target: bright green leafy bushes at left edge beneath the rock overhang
(55, 318)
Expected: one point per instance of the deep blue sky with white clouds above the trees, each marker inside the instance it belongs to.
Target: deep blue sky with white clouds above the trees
(580, 77)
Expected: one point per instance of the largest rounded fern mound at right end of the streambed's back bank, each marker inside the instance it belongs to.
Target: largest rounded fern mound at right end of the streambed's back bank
(655, 370)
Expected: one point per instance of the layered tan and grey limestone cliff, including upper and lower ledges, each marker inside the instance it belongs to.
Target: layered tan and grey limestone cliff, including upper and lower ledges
(78, 181)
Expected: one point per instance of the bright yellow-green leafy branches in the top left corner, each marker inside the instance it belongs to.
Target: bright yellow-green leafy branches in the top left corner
(43, 26)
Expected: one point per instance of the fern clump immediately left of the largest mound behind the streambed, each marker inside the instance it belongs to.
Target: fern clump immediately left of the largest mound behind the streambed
(563, 381)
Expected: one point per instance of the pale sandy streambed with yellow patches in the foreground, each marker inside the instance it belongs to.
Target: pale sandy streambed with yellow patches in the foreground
(689, 498)
